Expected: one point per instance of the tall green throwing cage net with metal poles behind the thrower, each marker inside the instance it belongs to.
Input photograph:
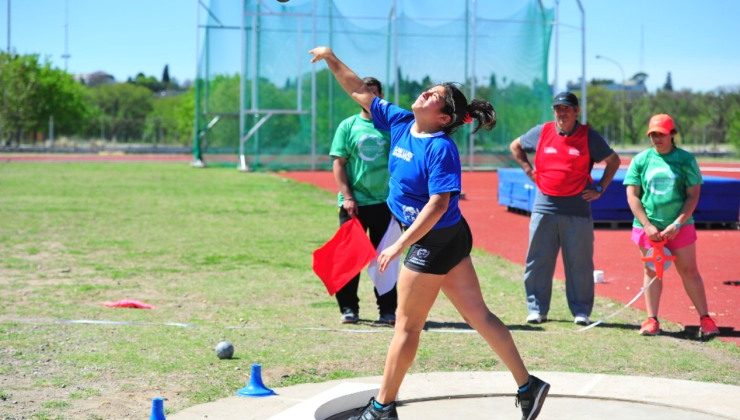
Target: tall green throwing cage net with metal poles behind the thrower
(260, 104)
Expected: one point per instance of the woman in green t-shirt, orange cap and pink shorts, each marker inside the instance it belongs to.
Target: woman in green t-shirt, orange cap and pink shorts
(663, 186)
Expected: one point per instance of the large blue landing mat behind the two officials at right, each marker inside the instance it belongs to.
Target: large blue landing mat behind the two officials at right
(719, 201)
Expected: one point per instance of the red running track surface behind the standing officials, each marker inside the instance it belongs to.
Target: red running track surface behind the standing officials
(505, 233)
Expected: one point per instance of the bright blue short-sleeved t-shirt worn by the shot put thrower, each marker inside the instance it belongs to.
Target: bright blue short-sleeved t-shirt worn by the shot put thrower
(420, 166)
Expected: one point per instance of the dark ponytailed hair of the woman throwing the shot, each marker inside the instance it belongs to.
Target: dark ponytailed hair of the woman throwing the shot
(457, 107)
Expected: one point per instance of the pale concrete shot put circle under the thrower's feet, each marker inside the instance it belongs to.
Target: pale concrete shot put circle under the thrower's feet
(488, 395)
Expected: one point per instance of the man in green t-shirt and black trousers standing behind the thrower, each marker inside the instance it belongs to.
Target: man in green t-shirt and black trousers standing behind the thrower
(360, 170)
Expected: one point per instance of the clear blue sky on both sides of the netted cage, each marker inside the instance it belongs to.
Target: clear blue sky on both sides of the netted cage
(697, 41)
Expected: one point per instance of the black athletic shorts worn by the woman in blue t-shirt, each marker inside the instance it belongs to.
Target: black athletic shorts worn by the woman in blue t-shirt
(440, 250)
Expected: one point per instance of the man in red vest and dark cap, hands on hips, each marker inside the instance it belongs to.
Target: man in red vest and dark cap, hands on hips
(565, 152)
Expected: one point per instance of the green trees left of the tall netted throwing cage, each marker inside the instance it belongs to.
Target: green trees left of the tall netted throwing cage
(39, 101)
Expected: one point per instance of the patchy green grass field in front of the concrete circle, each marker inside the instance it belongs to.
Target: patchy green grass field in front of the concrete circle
(229, 254)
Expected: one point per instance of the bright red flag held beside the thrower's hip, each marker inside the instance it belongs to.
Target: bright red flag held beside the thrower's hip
(343, 256)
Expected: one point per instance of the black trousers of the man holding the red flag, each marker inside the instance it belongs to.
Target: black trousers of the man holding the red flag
(374, 219)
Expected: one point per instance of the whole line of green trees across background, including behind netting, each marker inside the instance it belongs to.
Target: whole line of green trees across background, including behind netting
(38, 98)
